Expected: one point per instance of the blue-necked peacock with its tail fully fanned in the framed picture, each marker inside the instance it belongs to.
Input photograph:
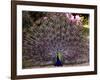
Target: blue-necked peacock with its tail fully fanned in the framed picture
(48, 35)
